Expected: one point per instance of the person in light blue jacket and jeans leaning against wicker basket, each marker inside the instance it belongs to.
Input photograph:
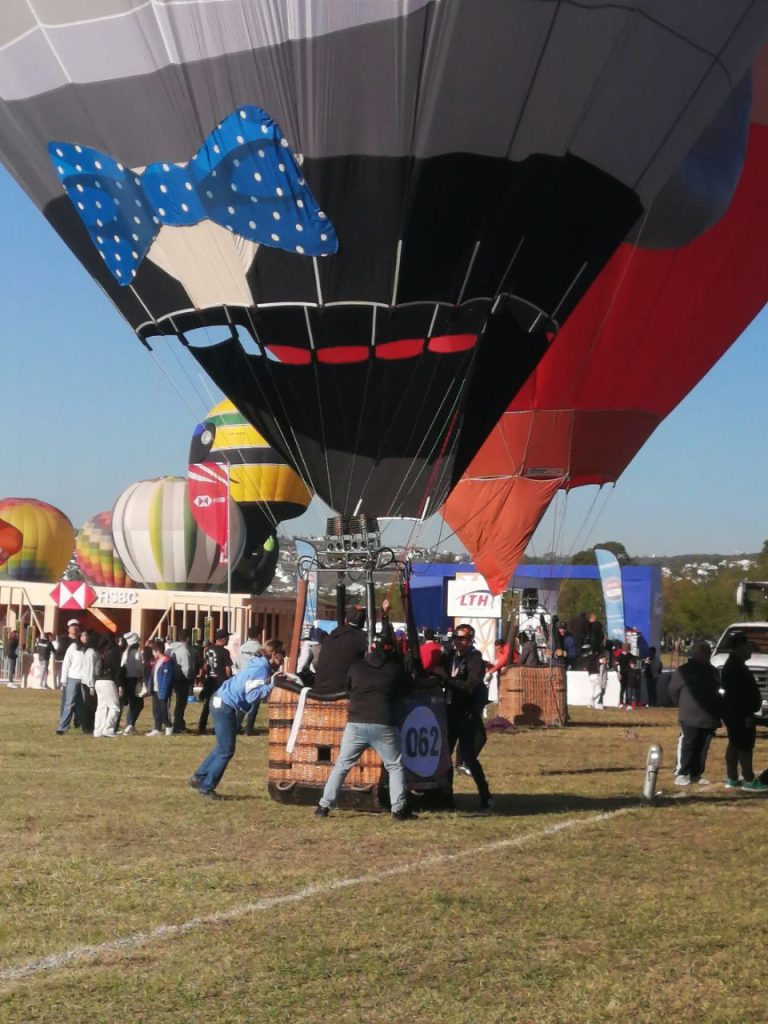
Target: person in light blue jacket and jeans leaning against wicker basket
(233, 699)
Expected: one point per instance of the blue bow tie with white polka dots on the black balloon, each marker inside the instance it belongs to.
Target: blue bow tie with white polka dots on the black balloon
(244, 178)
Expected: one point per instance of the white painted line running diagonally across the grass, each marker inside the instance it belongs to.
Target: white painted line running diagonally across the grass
(130, 943)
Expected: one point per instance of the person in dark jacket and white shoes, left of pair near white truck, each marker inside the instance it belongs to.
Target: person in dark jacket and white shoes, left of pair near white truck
(694, 691)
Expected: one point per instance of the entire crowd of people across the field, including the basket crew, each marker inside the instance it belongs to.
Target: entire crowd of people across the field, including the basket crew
(106, 678)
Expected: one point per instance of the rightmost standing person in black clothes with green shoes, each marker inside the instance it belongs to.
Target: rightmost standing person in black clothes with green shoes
(742, 699)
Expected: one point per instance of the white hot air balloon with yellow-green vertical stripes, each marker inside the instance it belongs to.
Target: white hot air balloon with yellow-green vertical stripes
(159, 542)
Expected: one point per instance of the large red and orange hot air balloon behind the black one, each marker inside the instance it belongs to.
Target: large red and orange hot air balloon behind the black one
(669, 316)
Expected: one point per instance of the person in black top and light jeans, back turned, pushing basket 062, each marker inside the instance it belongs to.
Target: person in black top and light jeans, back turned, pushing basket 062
(375, 682)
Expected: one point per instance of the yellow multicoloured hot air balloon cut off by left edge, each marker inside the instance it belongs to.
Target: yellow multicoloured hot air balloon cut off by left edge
(49, 540)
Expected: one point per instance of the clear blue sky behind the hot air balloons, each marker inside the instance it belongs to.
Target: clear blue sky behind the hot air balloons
(87, 411)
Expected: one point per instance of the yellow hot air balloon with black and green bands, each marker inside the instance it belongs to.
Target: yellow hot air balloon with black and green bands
(267, 490)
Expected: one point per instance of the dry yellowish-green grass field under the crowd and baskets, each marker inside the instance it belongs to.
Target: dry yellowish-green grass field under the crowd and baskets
(554, 909)
